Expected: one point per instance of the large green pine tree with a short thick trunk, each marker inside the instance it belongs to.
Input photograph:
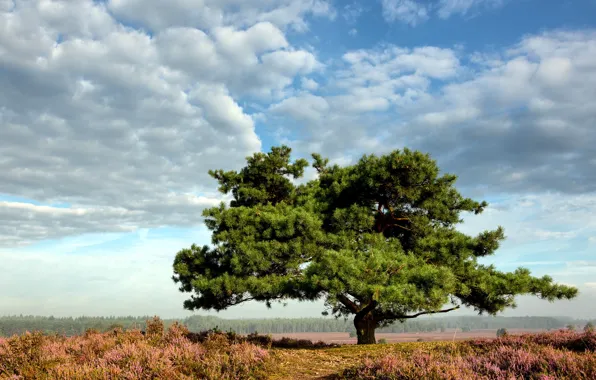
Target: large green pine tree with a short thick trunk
(375, 240)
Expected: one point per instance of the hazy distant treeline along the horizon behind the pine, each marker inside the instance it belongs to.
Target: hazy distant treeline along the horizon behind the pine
(10, 325)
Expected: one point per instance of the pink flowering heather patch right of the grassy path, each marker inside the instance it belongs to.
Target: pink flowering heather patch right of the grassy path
(557, 355)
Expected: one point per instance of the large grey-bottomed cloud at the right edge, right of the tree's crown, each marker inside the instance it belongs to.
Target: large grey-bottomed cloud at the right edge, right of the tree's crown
(528, 120)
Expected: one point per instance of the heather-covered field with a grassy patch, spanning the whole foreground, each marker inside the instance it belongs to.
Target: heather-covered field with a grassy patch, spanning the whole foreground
(176, 353)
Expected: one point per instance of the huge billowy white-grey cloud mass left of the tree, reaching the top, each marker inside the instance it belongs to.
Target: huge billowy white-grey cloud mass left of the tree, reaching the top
(122, 124)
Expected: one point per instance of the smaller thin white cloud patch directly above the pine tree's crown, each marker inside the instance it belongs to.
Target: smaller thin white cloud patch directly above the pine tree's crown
(366, 86)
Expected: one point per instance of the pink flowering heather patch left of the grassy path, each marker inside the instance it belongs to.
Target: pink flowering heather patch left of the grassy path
(130, 355)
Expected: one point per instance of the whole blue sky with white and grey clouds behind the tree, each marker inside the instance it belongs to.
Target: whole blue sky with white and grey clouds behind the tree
(112, 112)
